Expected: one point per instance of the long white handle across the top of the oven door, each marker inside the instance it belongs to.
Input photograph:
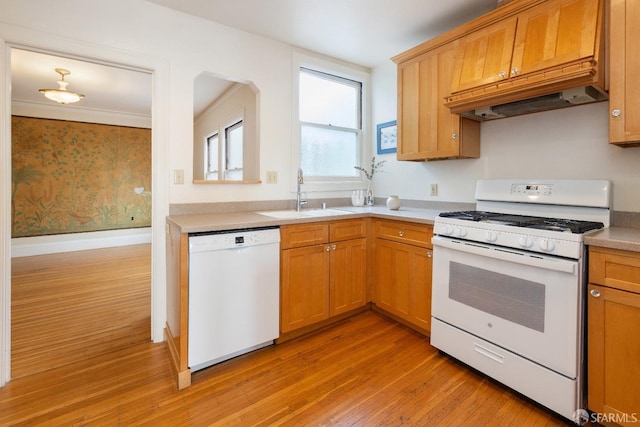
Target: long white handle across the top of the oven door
(553, 264)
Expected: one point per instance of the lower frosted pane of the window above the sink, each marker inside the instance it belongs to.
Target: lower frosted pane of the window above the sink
(328, 152)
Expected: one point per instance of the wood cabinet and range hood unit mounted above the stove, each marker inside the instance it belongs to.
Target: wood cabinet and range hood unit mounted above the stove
(530, 56)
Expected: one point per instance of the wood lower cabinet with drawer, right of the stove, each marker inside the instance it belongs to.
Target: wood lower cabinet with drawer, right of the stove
(613, 334)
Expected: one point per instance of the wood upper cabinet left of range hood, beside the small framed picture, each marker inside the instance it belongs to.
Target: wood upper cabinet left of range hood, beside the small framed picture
(427, 130)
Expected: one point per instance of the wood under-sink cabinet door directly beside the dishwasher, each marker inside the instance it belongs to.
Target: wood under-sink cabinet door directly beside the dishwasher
(304, 282)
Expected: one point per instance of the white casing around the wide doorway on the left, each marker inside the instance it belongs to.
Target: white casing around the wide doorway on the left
(160, 124)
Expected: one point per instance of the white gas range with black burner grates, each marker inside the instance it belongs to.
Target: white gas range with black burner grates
(509, 282)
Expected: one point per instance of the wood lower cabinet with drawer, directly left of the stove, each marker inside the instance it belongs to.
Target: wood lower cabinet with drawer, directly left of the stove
(402, 271)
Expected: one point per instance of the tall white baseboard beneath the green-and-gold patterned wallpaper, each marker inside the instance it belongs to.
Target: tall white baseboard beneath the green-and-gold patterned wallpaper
(41, 245)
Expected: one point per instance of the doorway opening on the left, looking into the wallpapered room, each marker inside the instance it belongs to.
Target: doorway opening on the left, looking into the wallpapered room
(61, 309)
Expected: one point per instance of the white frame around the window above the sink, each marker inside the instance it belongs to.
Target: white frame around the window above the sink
(339, 69)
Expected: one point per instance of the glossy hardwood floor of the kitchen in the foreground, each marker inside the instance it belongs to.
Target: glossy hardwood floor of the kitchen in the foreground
(365, 371)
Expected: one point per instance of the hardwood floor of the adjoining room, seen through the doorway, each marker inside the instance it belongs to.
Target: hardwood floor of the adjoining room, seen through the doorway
(71, 306)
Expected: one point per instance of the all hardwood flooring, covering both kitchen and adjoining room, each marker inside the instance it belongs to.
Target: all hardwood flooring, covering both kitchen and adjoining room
(364, 371)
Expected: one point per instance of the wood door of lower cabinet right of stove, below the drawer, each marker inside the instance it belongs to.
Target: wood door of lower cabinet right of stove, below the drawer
(613, 351)
